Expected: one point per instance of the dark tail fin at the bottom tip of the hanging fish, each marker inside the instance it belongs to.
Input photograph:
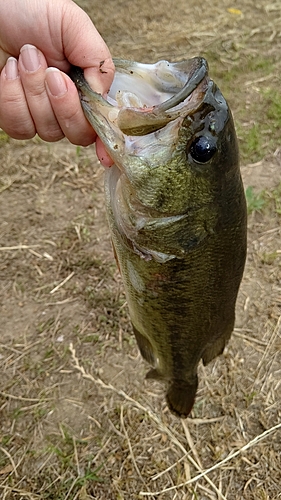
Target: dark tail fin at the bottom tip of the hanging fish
(181, 396)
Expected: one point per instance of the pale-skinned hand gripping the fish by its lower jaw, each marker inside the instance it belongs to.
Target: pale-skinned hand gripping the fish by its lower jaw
(40, 34)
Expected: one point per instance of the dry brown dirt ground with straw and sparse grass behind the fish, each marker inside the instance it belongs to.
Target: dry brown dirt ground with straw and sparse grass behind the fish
(77, 420)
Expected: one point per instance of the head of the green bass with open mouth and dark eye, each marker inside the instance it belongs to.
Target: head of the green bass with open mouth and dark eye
(169, 131)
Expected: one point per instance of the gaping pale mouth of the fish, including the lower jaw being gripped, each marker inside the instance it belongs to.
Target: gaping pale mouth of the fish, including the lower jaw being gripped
(143, 98)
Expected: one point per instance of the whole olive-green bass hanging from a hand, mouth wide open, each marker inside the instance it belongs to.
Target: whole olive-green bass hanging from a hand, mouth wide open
(177, 213)
